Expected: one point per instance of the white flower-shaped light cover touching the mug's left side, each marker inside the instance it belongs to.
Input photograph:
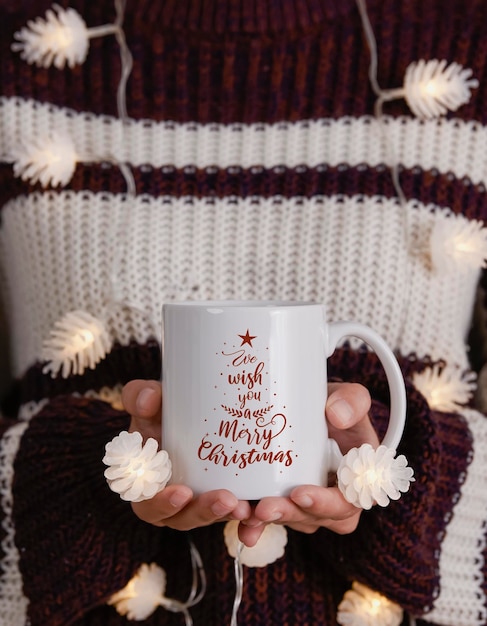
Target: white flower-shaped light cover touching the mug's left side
(136, 471)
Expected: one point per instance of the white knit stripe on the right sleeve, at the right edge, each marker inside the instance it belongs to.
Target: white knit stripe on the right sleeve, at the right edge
(461, 600)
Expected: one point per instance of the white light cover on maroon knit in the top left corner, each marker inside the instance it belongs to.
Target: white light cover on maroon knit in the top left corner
(62, 38)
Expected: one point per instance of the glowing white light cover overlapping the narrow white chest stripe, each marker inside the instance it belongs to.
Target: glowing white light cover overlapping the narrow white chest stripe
(50, 160)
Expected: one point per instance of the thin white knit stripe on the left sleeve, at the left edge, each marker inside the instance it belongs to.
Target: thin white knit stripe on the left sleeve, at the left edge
(13, 603)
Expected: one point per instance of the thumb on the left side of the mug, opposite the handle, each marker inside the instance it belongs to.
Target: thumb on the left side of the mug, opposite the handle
(142, 399)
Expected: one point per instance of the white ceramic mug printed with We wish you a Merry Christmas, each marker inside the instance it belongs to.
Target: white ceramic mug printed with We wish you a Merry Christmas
(244, 391)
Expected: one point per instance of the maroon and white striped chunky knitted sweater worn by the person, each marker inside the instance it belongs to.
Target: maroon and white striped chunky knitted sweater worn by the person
(259, 172)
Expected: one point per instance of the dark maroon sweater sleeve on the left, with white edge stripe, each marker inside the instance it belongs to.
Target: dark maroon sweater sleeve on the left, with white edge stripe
(76, 542)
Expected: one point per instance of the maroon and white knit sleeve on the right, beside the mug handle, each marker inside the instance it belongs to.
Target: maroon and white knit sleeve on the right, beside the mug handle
(426, 551)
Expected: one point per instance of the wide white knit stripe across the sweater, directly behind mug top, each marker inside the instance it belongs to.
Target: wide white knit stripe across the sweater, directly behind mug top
(349, 253)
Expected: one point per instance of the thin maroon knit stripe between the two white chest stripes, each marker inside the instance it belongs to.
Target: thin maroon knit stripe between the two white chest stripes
(461, 196)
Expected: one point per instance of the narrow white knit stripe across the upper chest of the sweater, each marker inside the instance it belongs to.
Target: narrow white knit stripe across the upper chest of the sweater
(446, 145)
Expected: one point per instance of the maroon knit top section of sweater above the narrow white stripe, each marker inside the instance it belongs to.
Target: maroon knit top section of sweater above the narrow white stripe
(183, 76)
